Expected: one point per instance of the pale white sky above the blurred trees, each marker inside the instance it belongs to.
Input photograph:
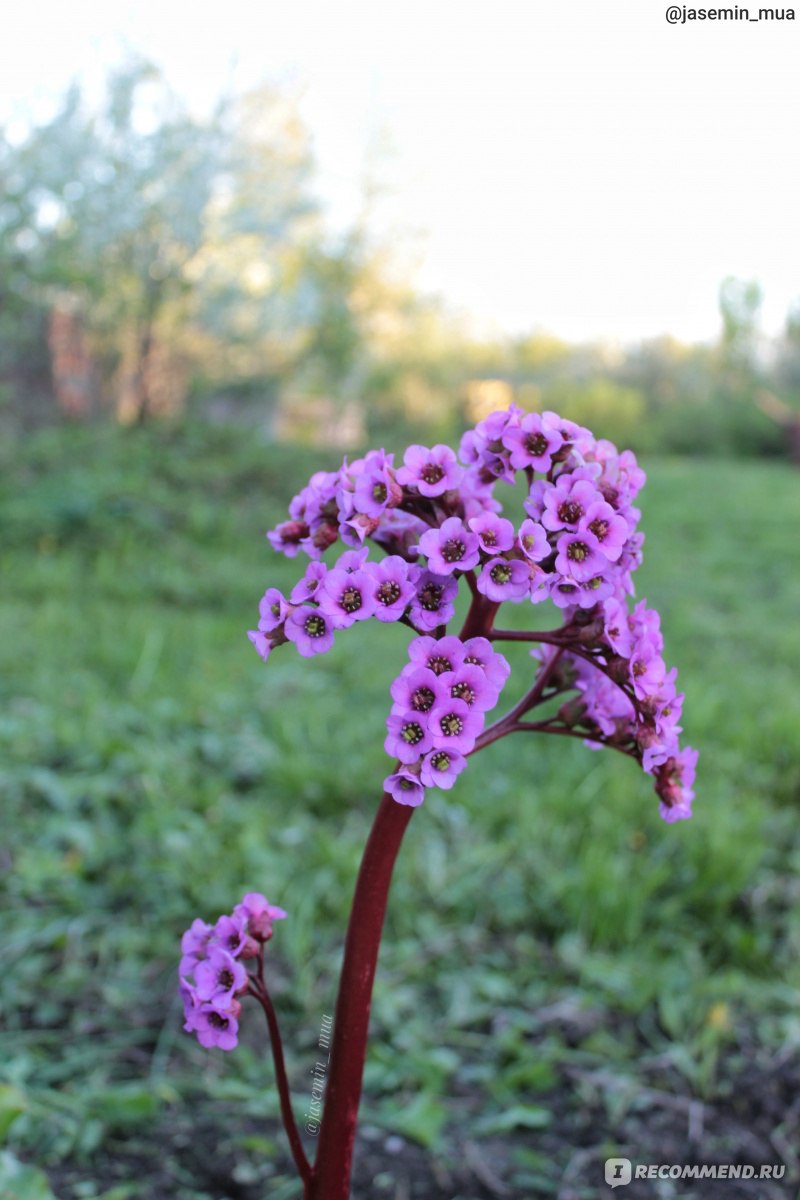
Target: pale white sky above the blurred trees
(574, 165)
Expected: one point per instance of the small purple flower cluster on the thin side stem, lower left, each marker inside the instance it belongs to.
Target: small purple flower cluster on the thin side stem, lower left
(212, 971)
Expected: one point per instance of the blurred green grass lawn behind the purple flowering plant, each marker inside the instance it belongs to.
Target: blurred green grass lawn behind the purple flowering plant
(153, 770)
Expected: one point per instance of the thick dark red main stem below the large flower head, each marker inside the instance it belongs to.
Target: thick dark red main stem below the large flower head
(332, 1173)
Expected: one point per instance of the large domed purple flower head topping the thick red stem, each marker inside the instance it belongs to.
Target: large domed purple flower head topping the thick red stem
(437, 521)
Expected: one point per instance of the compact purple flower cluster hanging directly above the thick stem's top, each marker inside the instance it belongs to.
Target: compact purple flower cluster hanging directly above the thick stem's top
(441, 704)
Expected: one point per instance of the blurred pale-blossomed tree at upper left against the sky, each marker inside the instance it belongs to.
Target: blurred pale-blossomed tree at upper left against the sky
(133, 209)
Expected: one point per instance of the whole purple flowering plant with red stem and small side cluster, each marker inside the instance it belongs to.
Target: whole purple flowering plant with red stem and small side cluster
(436, 525)
